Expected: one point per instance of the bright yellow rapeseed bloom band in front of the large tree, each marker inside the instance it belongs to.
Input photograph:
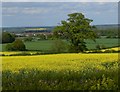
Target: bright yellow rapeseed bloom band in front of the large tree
(57, 62)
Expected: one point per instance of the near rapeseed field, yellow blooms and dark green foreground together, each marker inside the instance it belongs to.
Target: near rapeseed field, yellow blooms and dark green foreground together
(61, 72)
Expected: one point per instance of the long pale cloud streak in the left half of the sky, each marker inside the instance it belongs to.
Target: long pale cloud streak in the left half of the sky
(24, 10)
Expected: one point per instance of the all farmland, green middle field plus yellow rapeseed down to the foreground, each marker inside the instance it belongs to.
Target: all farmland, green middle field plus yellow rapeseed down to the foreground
(31, 70)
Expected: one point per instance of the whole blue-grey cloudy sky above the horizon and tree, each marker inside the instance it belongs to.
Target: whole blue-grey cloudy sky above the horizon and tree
(51, 13)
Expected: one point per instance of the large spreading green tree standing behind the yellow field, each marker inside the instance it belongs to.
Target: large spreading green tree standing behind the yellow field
(76, 29)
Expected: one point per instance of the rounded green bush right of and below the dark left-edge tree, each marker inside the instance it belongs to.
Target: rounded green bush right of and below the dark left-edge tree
(17, 45)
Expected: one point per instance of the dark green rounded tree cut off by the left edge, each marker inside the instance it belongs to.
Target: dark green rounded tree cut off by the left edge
(7, 37)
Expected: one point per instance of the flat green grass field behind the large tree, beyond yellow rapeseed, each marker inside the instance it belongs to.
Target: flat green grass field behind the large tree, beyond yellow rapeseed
(46, 45)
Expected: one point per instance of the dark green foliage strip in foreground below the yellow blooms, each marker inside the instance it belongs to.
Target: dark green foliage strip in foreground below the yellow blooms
(34, 79)
